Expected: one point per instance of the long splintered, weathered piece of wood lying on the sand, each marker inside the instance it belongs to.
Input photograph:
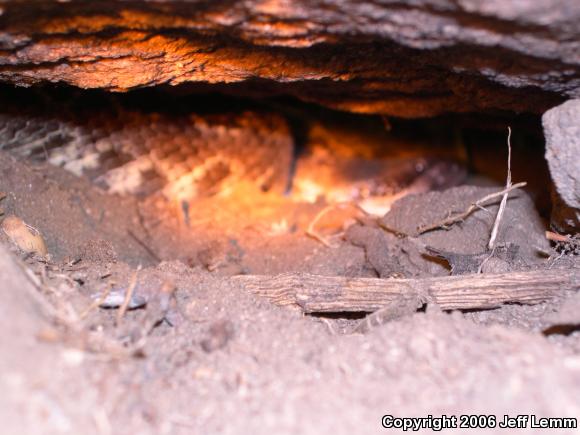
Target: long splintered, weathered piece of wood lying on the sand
(324, 294)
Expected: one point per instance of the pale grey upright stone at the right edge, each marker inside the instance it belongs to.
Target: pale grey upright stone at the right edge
(562, 131)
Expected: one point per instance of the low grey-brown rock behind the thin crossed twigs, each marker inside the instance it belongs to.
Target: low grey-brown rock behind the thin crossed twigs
(521, 226)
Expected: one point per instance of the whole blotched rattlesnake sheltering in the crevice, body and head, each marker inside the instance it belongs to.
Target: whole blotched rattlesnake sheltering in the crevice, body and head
(176, 152)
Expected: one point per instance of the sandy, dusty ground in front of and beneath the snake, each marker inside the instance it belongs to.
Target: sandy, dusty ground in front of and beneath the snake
(205, 356)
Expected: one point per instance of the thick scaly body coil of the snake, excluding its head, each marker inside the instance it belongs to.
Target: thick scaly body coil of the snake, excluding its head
(138, 152)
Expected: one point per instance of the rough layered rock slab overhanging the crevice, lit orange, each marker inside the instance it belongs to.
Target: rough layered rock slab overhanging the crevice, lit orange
(409, 59)
